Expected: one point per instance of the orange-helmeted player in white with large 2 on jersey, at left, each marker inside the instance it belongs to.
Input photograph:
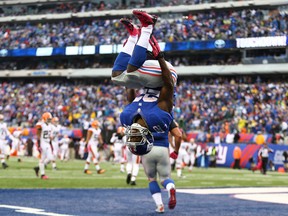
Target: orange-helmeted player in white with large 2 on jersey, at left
(44, 130)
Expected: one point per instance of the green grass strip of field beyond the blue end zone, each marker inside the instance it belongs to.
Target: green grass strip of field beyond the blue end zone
(70, 175)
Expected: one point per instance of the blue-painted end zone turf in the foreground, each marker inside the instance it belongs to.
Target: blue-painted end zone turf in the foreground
(127, 202)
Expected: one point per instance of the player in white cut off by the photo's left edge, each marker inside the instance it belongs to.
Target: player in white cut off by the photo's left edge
(4, 132)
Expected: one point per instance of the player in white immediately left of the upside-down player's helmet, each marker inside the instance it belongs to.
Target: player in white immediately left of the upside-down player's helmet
(118, 147)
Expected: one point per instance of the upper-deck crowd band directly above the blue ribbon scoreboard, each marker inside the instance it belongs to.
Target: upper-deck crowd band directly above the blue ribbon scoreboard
(205, 25)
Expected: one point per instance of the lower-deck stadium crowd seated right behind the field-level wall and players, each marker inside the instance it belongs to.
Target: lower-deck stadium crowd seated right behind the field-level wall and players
(212, 104)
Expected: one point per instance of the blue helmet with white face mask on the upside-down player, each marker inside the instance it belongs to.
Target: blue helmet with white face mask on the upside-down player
(139, 139)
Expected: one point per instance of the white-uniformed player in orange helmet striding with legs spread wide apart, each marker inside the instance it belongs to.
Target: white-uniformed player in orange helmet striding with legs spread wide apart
(94, 138)
